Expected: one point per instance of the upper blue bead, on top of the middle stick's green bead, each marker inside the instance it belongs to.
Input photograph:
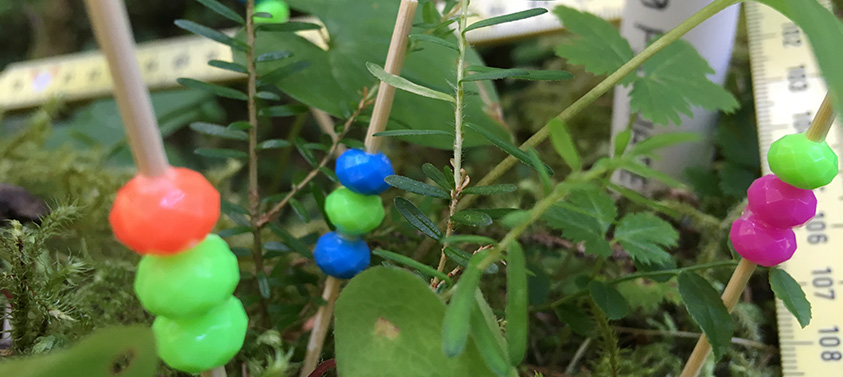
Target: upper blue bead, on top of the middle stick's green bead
(363, 172)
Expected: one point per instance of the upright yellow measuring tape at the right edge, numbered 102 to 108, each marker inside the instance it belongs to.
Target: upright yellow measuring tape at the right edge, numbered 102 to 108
(788, 89)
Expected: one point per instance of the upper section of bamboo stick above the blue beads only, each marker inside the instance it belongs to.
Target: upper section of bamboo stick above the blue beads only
(394, 63)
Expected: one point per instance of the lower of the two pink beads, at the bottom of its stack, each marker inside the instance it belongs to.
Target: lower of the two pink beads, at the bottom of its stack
(761, 243)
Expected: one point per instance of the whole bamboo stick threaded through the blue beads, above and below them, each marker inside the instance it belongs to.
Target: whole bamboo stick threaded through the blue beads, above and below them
(383, 105)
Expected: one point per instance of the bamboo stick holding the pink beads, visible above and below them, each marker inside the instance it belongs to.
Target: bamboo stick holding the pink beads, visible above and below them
(816, 132)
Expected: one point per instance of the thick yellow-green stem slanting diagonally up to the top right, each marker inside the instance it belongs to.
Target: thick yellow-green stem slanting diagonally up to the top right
(607, 84)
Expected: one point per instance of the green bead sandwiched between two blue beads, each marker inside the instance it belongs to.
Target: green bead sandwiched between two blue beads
(354, 213)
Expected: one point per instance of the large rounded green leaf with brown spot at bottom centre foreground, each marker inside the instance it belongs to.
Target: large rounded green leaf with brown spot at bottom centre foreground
(389, 323)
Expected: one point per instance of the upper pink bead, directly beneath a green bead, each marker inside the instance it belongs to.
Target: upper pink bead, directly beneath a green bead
(779, 204)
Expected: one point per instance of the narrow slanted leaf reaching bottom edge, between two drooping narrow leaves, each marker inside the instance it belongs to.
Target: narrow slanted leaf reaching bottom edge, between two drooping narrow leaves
(487, 337)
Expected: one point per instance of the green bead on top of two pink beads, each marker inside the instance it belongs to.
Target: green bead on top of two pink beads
(801, 162)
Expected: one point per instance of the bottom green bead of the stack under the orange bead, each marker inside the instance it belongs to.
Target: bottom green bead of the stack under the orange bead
(205, 342)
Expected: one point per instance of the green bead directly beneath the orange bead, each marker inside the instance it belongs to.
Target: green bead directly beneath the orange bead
(189, 283)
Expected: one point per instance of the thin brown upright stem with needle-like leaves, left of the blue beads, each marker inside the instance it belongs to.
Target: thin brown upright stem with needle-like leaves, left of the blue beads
(254, 190)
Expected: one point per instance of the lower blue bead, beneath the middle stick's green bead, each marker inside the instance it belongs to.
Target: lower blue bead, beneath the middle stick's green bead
(341, 256)
